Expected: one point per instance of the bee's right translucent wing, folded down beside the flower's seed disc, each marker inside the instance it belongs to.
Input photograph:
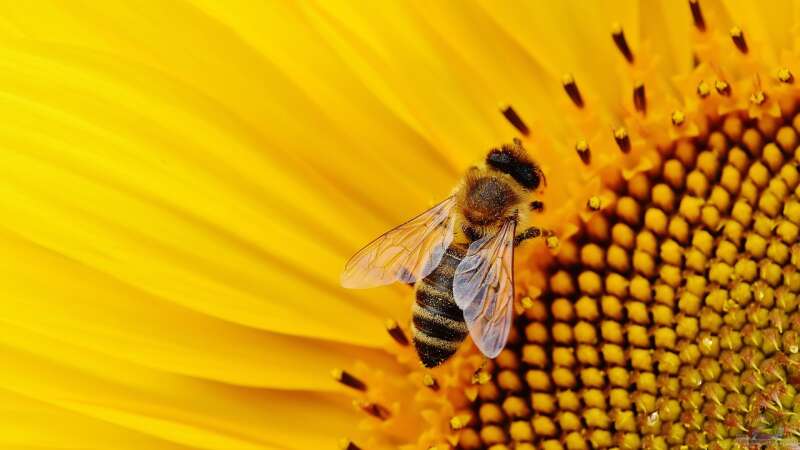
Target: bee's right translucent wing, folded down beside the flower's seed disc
(483, 287)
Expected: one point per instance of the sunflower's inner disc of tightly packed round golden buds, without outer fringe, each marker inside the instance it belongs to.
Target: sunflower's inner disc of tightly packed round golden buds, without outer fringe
(671, 318)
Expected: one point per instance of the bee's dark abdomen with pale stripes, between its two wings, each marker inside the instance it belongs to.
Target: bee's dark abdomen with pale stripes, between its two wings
(437, 324)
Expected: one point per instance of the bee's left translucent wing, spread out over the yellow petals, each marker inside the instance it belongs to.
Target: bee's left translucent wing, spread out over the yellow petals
(407, 253)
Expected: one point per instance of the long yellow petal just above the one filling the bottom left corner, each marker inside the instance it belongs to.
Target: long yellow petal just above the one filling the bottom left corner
(180, 409)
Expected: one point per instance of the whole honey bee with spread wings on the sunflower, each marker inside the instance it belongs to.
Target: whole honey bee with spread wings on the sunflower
(460, 256)
